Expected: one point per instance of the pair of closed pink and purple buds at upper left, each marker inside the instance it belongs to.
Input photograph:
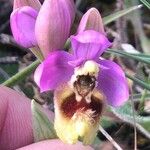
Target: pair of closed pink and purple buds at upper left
(45, 27)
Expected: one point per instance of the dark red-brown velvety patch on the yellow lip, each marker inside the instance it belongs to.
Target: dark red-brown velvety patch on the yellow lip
(70, 106)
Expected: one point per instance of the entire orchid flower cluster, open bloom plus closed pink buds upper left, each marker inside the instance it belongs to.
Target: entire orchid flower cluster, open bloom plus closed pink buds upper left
(82, 80)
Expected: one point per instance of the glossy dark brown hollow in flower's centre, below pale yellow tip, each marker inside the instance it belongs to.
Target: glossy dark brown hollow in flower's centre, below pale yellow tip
(84, 84)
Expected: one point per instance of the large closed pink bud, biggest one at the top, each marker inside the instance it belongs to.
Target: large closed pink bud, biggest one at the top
(53, 24)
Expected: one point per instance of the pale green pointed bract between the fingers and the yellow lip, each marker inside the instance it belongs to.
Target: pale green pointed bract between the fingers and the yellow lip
(42, 127)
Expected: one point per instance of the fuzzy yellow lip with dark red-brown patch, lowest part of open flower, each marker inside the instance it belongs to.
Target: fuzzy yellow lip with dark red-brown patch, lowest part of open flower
(77, 119)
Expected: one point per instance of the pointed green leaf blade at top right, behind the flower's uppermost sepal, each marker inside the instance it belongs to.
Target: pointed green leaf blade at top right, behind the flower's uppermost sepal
(116, 15)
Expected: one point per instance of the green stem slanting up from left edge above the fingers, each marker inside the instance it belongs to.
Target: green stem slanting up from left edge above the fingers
(21, 75)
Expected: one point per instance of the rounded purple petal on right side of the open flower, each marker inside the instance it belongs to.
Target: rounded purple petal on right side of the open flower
(112, 82)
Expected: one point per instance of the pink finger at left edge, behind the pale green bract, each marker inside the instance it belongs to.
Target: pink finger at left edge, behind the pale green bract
(15, 119)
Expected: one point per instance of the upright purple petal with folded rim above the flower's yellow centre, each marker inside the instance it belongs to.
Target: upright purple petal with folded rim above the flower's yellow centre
(89, 44)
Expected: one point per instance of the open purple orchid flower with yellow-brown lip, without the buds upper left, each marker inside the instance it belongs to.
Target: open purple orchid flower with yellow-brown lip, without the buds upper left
(83, 81)
